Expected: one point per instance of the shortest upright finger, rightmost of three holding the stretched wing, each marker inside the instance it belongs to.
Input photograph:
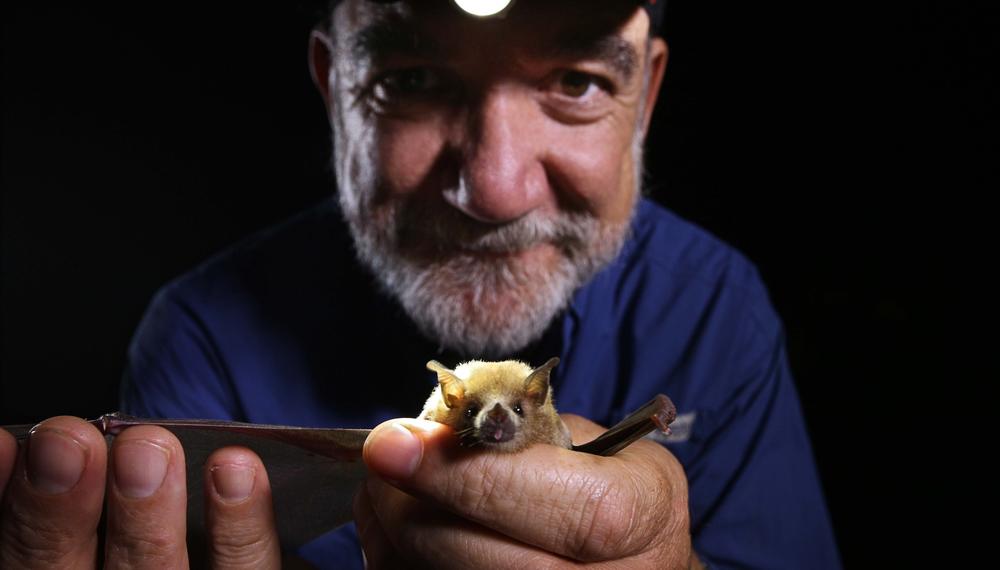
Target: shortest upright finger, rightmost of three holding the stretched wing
(239, 511)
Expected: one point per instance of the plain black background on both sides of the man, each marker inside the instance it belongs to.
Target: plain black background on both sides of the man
(849, 151)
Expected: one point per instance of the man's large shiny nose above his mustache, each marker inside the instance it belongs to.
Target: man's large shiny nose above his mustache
(501, 174)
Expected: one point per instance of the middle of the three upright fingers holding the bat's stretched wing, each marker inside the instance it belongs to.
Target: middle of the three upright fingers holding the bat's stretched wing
(147, 500)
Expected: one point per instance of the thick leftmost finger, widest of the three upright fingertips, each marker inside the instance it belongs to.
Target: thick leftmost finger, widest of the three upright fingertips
(54, 496)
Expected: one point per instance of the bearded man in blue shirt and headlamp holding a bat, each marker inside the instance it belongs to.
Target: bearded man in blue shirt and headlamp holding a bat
(488, 206)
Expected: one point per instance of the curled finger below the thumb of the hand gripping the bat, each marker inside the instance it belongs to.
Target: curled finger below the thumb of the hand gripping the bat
(431, 537)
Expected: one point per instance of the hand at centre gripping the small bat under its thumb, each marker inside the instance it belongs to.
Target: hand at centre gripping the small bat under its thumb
(429, 503)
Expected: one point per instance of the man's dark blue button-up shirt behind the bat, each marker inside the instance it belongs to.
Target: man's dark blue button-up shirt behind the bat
(286, 328)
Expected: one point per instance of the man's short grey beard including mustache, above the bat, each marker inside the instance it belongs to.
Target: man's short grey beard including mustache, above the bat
(462, 285)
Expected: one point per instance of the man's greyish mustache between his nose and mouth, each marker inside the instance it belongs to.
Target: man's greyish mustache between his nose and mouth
(444, 229)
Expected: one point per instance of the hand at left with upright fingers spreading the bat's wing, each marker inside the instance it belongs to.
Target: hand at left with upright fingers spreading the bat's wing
(56, 486)
